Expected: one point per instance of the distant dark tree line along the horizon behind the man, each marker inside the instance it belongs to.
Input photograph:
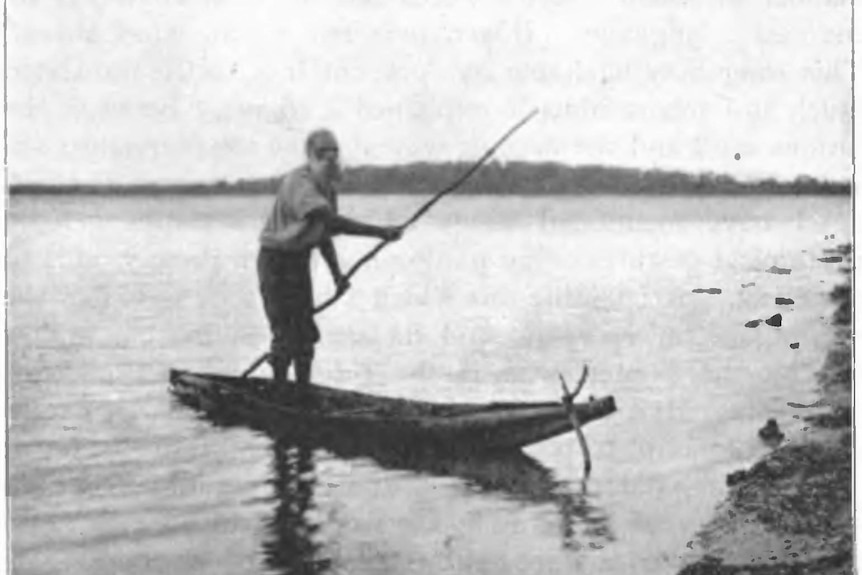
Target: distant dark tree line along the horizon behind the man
(512, 178)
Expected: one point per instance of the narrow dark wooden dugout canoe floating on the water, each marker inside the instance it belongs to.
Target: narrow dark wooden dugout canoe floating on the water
(396, 422)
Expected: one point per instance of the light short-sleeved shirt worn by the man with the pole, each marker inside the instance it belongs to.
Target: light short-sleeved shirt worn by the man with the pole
(288, 227)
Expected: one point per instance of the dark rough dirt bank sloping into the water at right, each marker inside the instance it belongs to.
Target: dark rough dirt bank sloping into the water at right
(791, 513)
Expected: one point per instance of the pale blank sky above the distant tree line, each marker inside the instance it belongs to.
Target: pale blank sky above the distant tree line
(123, 91)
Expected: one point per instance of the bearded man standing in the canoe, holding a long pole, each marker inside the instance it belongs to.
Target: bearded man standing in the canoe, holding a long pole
(304, 216)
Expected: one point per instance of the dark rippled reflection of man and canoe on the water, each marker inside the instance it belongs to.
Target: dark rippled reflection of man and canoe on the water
(295, 538)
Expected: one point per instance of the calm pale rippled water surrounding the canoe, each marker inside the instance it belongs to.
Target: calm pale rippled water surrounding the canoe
(485, 299)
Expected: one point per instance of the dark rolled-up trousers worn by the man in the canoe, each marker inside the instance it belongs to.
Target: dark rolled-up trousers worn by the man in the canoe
(288, 300)
